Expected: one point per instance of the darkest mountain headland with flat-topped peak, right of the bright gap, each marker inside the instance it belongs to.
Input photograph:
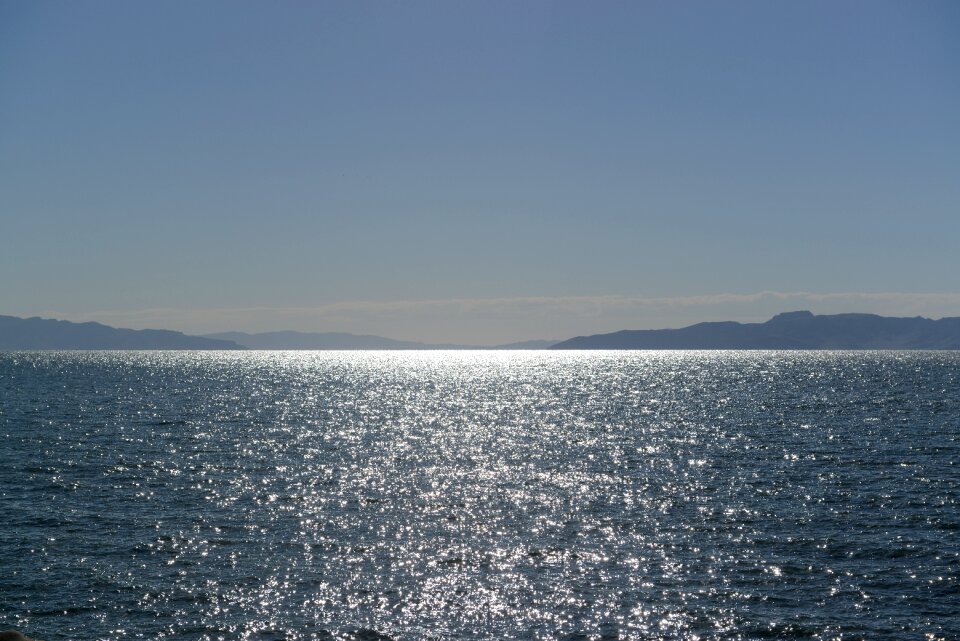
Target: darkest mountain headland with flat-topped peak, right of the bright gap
(792, 330)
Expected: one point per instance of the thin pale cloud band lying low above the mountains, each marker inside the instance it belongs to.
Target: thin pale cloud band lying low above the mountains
(605, 313)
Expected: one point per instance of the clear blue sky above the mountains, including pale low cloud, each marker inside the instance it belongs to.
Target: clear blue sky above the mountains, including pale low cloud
(477, 172)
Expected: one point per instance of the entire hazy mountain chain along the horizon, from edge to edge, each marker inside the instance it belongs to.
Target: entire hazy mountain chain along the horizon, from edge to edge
(792, 330)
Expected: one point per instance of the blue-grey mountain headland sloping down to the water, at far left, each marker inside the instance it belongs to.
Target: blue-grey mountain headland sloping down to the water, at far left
(41, 333)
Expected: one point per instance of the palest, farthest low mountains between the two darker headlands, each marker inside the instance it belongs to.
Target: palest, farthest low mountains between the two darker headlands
(343, 340)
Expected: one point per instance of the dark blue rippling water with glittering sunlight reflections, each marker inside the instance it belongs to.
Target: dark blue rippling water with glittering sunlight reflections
(523, 495)
